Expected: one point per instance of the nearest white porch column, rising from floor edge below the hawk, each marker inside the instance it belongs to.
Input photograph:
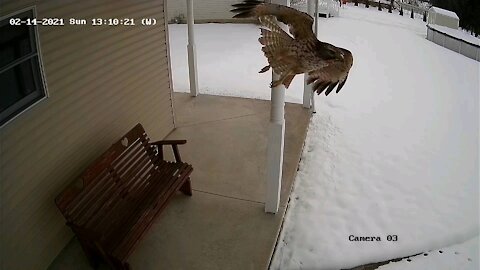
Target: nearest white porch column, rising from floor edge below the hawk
(276, 134)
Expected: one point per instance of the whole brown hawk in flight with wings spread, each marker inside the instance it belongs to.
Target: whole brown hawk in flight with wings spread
(298, 52)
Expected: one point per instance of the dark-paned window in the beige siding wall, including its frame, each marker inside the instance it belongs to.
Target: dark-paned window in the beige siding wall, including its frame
(21, 79)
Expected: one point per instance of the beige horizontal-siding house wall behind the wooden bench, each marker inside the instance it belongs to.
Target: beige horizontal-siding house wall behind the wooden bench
(102, 80)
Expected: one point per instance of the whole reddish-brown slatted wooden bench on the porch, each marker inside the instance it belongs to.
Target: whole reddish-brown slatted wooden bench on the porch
(121, 194)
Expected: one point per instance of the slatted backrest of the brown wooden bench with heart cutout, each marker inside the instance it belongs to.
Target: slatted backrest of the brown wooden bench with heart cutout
(116, 173)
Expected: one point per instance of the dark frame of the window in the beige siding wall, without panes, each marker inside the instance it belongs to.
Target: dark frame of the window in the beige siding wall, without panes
(31, 100)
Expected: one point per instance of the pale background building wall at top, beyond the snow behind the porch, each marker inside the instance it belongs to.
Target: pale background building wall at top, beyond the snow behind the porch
(205, 10)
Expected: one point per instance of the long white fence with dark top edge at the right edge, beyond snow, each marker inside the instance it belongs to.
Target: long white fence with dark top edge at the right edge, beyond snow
(462, 46)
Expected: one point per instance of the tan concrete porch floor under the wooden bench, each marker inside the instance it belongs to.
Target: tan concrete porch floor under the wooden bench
(223, 225)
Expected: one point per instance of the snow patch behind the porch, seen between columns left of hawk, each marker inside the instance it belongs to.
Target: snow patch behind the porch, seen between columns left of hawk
(229, 59)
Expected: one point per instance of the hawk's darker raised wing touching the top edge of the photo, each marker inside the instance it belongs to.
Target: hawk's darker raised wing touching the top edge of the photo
(300, 23)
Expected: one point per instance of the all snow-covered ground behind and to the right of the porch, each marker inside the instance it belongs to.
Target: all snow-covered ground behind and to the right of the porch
(393, 155)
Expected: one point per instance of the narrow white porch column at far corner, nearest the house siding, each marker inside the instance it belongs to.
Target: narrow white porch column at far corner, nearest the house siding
(192, 53)
